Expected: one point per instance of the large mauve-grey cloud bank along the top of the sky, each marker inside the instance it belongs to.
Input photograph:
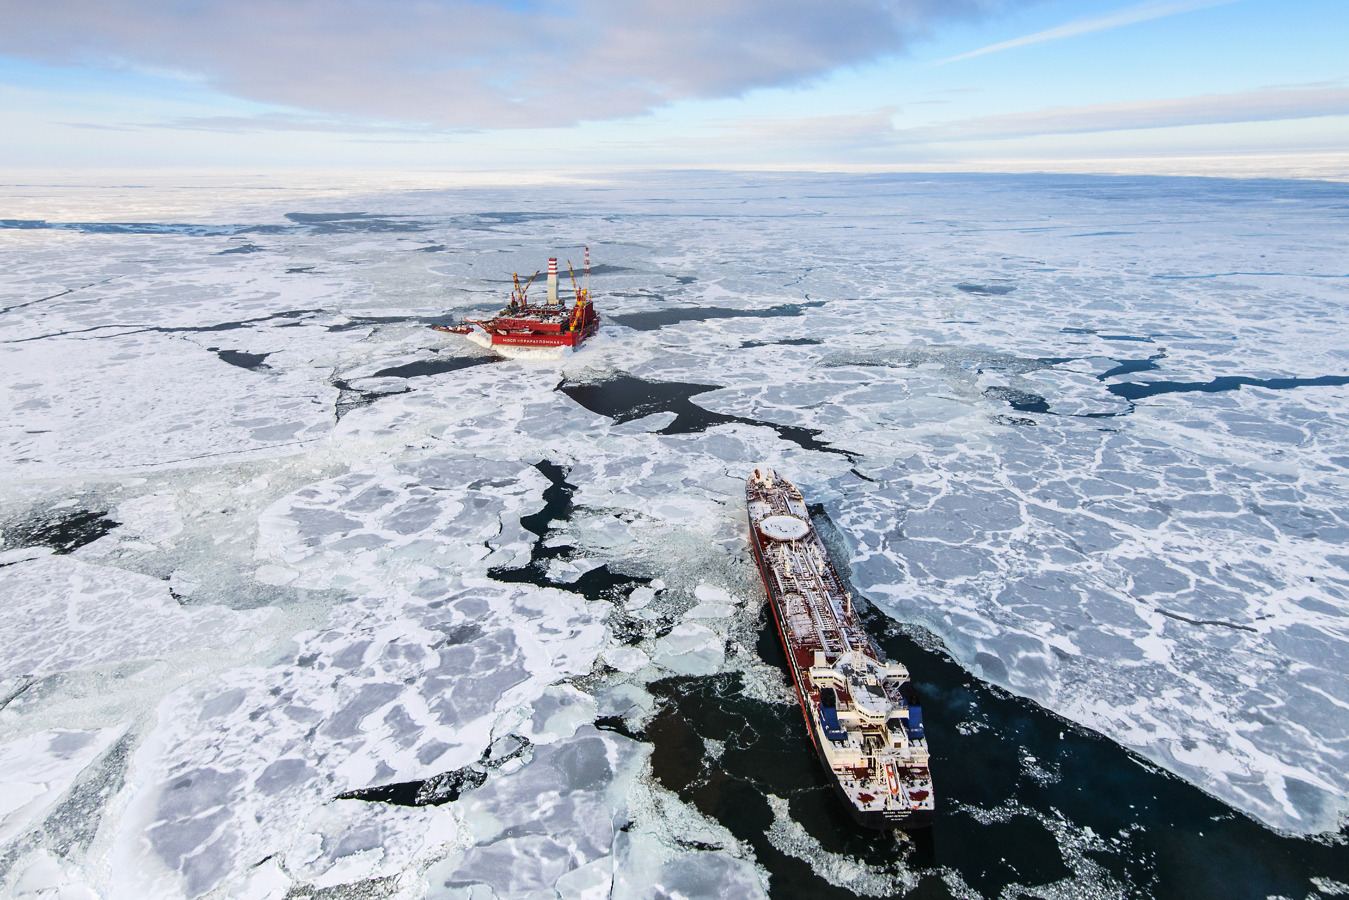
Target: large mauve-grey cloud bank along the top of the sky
(459, 64)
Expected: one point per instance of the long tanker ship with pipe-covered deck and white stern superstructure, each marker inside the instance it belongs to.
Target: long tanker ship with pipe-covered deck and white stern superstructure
(868, 735)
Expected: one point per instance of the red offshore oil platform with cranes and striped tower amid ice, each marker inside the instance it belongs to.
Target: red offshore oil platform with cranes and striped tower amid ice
(521, 325)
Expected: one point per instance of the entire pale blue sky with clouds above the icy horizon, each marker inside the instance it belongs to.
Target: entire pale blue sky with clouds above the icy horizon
(1185, 87)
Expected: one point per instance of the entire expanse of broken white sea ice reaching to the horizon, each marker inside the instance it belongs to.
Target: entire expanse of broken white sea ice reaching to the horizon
(296, 605)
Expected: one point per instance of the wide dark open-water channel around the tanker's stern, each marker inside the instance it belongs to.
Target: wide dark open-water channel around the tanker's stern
(1026, 799)
